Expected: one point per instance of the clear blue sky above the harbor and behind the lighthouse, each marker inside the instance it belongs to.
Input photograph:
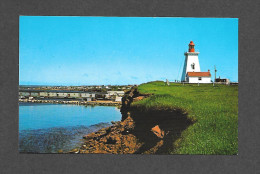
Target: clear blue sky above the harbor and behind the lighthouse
(122, 50)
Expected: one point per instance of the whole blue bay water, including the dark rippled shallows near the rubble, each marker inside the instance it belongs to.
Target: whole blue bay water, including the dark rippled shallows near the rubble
(49, 128)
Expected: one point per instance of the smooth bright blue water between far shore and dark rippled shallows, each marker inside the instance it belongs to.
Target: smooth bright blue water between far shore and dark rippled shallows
(39, 116)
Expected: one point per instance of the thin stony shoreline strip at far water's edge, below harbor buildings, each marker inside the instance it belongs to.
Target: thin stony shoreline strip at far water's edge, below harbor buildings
(91, 103)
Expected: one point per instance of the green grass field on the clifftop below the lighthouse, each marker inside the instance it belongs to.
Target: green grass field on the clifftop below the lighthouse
(213, 109)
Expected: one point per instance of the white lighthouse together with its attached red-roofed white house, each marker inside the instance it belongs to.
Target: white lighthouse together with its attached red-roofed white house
(191, 70)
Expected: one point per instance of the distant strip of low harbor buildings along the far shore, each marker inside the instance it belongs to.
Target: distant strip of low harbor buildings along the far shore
(102, 98)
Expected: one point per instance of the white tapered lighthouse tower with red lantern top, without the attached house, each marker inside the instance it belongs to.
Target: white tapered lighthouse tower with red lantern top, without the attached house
(191, 63)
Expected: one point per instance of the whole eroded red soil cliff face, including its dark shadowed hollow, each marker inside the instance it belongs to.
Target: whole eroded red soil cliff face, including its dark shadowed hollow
(140, 132)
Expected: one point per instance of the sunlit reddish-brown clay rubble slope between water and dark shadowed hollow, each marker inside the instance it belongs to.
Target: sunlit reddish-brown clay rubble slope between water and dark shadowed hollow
(114, 139)
